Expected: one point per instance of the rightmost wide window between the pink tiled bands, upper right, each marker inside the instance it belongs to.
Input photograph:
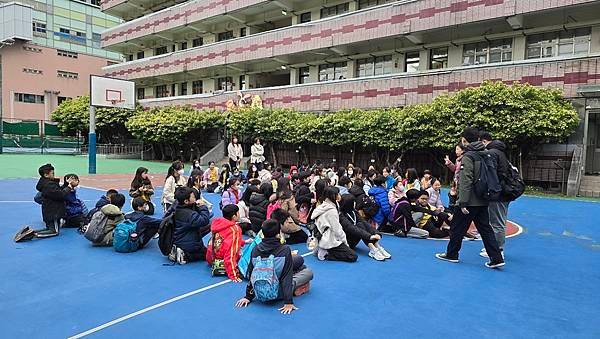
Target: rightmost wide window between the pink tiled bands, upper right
(571, 42)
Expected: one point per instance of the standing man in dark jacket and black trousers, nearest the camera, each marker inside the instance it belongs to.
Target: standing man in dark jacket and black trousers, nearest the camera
(472, 207)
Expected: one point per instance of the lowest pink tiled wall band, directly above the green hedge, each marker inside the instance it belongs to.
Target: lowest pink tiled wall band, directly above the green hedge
(407, 90)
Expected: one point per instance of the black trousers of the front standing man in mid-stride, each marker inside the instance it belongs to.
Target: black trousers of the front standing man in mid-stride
(460, 225)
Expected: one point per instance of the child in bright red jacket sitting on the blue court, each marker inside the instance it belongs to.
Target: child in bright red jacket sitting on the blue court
(227, 241)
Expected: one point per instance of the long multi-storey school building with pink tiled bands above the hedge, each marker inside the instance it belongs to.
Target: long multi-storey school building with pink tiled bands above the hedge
(317, 55)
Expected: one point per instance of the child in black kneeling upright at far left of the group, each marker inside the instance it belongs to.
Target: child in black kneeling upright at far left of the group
(53, 205)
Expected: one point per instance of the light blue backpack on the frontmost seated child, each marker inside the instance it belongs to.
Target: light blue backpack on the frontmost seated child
(264, 279)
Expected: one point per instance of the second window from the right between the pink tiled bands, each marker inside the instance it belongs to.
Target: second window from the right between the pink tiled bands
(487, 52)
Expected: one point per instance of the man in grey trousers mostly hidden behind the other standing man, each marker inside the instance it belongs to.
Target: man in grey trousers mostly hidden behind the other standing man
(498, 210)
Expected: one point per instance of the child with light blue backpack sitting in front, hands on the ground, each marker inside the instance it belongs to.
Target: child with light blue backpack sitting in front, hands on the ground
(292, 275)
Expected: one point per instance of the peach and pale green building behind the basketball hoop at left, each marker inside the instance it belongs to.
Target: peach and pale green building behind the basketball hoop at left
(50, 54)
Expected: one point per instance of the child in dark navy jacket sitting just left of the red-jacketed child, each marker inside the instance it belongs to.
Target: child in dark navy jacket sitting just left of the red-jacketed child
(192, 222)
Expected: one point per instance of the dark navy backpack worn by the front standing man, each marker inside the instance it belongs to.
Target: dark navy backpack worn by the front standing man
(487, 186)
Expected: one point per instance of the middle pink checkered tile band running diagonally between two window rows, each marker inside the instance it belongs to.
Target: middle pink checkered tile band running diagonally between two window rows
(360, 26)
